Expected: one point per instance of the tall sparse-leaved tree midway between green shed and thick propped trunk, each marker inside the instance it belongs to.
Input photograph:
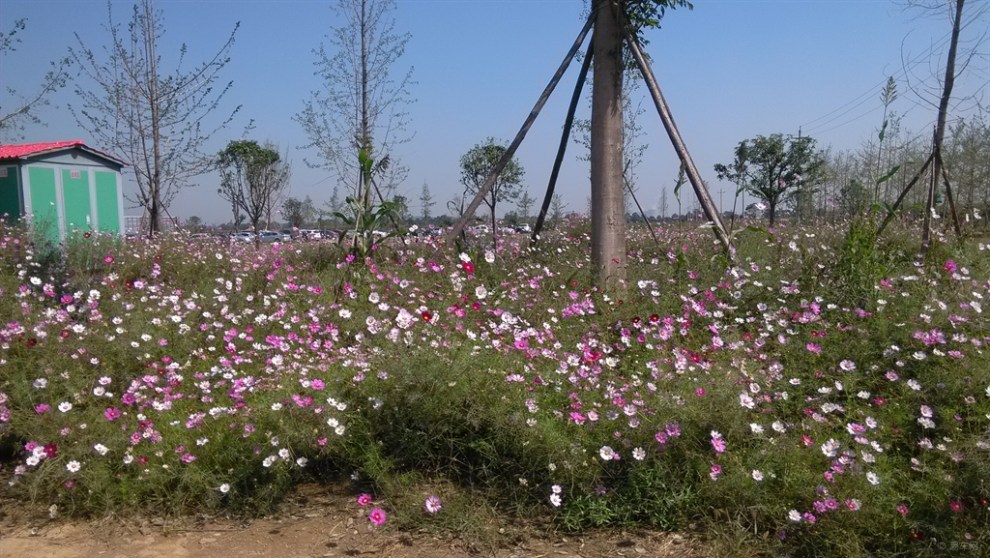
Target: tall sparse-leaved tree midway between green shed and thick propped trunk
(362, 105)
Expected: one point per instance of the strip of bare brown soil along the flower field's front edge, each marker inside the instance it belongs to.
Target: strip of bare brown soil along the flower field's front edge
(317, 521)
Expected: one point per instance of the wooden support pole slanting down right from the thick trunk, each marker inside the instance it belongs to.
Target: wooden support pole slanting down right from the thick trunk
(707, 205)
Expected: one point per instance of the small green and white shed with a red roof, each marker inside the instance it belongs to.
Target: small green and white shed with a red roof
(61, 188)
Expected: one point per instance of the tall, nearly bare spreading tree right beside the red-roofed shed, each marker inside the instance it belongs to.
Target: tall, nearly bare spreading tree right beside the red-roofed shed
(157, 121)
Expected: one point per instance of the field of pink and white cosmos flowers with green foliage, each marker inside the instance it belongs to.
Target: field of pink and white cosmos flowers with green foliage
(824, 397)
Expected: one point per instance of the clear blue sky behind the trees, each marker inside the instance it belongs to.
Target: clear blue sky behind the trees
(730, 69)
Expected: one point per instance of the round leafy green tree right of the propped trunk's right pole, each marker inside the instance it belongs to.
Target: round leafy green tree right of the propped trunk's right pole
(774, 168)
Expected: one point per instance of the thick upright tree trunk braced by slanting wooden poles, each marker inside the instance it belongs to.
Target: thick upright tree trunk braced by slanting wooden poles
(608, 224)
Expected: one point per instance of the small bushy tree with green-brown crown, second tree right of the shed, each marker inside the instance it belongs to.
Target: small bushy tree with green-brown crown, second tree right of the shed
(260, 174)
